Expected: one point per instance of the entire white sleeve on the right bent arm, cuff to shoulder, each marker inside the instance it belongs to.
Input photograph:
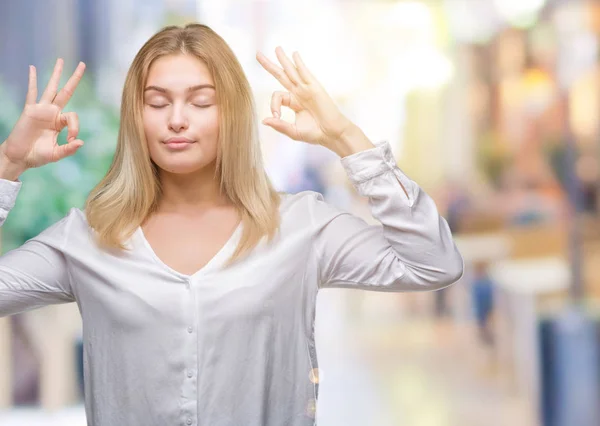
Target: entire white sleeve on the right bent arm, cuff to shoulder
(413, 248)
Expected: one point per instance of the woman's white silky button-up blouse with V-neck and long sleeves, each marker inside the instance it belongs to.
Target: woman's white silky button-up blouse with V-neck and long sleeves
(227, 346)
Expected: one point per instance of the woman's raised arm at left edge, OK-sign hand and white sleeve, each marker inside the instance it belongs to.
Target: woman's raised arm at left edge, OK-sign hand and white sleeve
(35, 274)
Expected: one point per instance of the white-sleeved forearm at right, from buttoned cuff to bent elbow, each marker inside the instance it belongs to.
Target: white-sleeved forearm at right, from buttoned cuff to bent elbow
(419, 236)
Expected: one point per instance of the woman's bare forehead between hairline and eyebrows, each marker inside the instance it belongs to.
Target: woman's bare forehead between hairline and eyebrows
(178, 72)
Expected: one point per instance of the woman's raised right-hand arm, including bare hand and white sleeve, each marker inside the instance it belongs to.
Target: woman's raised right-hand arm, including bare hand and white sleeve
(414, 249)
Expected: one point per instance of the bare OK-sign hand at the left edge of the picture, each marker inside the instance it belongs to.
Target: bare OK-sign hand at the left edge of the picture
(33, 141)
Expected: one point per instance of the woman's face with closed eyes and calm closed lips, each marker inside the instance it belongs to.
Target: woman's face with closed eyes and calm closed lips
(181, 117)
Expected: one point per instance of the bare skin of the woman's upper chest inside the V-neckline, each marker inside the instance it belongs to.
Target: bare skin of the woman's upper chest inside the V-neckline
(187, 243)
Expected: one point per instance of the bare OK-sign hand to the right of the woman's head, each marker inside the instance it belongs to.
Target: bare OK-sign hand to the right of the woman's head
(318, 120)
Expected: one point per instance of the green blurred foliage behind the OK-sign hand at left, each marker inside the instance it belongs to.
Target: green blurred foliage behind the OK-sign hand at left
(49, 192)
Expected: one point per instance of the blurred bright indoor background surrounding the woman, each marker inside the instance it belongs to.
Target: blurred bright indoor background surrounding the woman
(492, 106)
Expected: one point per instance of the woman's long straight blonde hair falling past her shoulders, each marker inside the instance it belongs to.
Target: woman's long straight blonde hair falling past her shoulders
(131, 189)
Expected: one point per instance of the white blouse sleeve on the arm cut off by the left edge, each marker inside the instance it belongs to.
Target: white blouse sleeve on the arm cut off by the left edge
(34, 274)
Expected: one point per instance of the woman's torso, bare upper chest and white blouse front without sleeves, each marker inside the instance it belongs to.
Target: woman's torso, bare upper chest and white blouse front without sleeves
(231, 328)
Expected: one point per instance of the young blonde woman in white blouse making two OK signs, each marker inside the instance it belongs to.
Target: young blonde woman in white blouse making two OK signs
(195, 279)
